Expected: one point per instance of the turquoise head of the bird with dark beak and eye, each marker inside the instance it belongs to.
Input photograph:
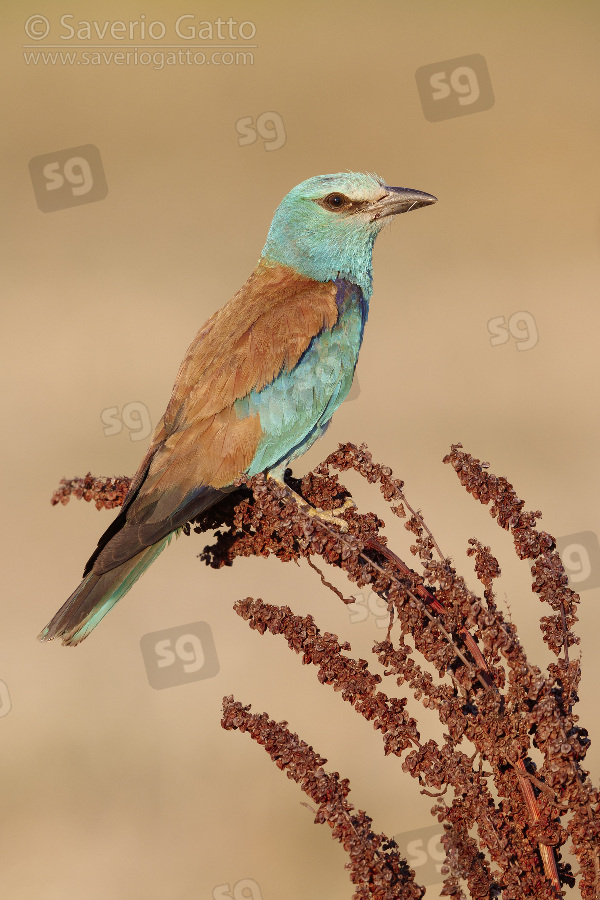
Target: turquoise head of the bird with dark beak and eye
(326, 226)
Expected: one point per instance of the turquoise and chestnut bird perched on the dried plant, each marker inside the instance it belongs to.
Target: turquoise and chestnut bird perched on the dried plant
(258, 385)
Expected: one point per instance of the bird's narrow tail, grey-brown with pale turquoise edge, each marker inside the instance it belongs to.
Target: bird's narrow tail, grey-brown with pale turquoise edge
(96, 595)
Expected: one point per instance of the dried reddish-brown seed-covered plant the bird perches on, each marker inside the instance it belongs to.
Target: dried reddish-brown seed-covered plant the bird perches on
(503, 841)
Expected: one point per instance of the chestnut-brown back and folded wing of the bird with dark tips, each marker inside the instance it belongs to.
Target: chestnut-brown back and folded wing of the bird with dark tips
(200, 446)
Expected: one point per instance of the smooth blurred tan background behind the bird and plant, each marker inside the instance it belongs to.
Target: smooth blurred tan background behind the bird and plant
(109, 787)
